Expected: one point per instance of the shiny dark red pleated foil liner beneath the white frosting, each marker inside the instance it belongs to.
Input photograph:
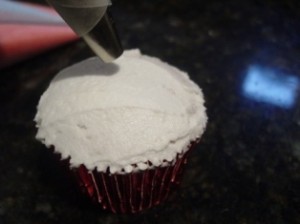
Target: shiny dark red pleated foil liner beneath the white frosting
(131, 192)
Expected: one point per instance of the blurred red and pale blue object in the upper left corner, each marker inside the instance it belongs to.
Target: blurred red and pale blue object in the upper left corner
(29, 29)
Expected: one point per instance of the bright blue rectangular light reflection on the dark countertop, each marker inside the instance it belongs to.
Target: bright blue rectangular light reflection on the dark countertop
(270, 86)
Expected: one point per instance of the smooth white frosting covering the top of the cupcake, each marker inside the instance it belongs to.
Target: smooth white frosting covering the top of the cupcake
(132, 111)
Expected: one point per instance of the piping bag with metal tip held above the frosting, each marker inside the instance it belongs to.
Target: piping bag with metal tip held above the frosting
(91, 20)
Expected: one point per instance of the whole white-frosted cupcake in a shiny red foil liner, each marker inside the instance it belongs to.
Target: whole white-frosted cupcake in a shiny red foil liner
(125, 128)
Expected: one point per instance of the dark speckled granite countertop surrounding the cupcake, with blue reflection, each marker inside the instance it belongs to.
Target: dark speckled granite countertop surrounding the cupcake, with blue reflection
(246, 57)
